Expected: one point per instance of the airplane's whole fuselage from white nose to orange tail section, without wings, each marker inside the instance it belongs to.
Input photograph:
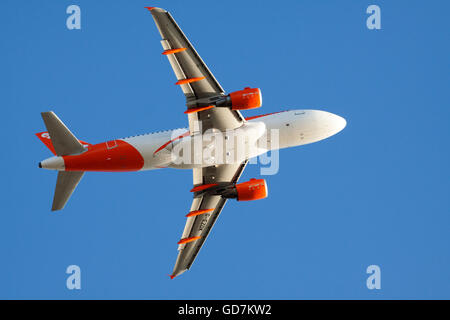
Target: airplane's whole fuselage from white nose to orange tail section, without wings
(179, 149)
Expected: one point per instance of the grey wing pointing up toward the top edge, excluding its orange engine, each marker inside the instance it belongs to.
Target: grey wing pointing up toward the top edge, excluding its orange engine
(199, 85)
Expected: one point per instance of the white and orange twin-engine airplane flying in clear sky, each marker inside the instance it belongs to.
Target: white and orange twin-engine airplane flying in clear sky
(210, 110)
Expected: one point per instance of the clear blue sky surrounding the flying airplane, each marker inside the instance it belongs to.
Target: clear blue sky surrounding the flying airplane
(376, 193)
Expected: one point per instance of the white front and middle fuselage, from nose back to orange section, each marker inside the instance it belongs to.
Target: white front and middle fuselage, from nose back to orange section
(178, 149)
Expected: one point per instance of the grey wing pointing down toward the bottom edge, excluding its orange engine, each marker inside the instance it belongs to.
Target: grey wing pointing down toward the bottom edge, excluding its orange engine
(205, 210)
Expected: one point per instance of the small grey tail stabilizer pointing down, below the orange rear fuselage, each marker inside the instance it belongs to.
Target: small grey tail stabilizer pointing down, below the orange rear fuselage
(66, 183)
